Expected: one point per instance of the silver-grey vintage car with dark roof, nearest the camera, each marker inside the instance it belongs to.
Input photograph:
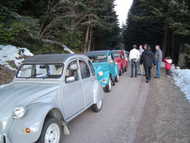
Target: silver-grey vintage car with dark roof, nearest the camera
(47, 92)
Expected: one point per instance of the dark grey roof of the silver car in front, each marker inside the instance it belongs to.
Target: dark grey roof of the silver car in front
(49, 58)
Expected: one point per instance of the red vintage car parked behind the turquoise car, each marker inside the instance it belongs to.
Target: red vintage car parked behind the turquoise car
(120, 57)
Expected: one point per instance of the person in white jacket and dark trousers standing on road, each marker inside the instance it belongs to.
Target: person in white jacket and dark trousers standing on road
(134, 57)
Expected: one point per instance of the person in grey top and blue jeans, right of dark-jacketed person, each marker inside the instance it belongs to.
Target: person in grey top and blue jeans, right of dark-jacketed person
(158, 60)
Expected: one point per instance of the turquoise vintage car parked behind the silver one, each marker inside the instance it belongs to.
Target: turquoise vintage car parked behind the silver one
(106, 69)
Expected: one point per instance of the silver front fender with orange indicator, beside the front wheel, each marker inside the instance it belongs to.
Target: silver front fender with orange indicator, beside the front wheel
(34, 120)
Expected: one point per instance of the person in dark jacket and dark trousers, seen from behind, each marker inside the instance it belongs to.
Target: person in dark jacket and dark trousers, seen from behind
(147, 59)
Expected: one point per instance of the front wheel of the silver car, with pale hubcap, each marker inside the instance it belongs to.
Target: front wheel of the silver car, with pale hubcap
(51, 132)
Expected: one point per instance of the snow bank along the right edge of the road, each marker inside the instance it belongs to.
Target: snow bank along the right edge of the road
(182, 80)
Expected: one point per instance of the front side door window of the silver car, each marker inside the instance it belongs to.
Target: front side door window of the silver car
(71, 73)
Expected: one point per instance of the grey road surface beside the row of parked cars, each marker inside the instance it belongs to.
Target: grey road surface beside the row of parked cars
(136, 112)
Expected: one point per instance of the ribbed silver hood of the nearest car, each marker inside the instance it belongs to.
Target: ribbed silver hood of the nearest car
(22, 94)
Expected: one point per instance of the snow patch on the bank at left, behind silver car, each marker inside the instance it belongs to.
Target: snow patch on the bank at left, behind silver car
(11, 53)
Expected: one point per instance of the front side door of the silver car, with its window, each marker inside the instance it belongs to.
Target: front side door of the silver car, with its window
(73, 99)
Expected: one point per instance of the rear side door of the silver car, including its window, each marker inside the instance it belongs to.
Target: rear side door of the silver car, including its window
(88, 79)
